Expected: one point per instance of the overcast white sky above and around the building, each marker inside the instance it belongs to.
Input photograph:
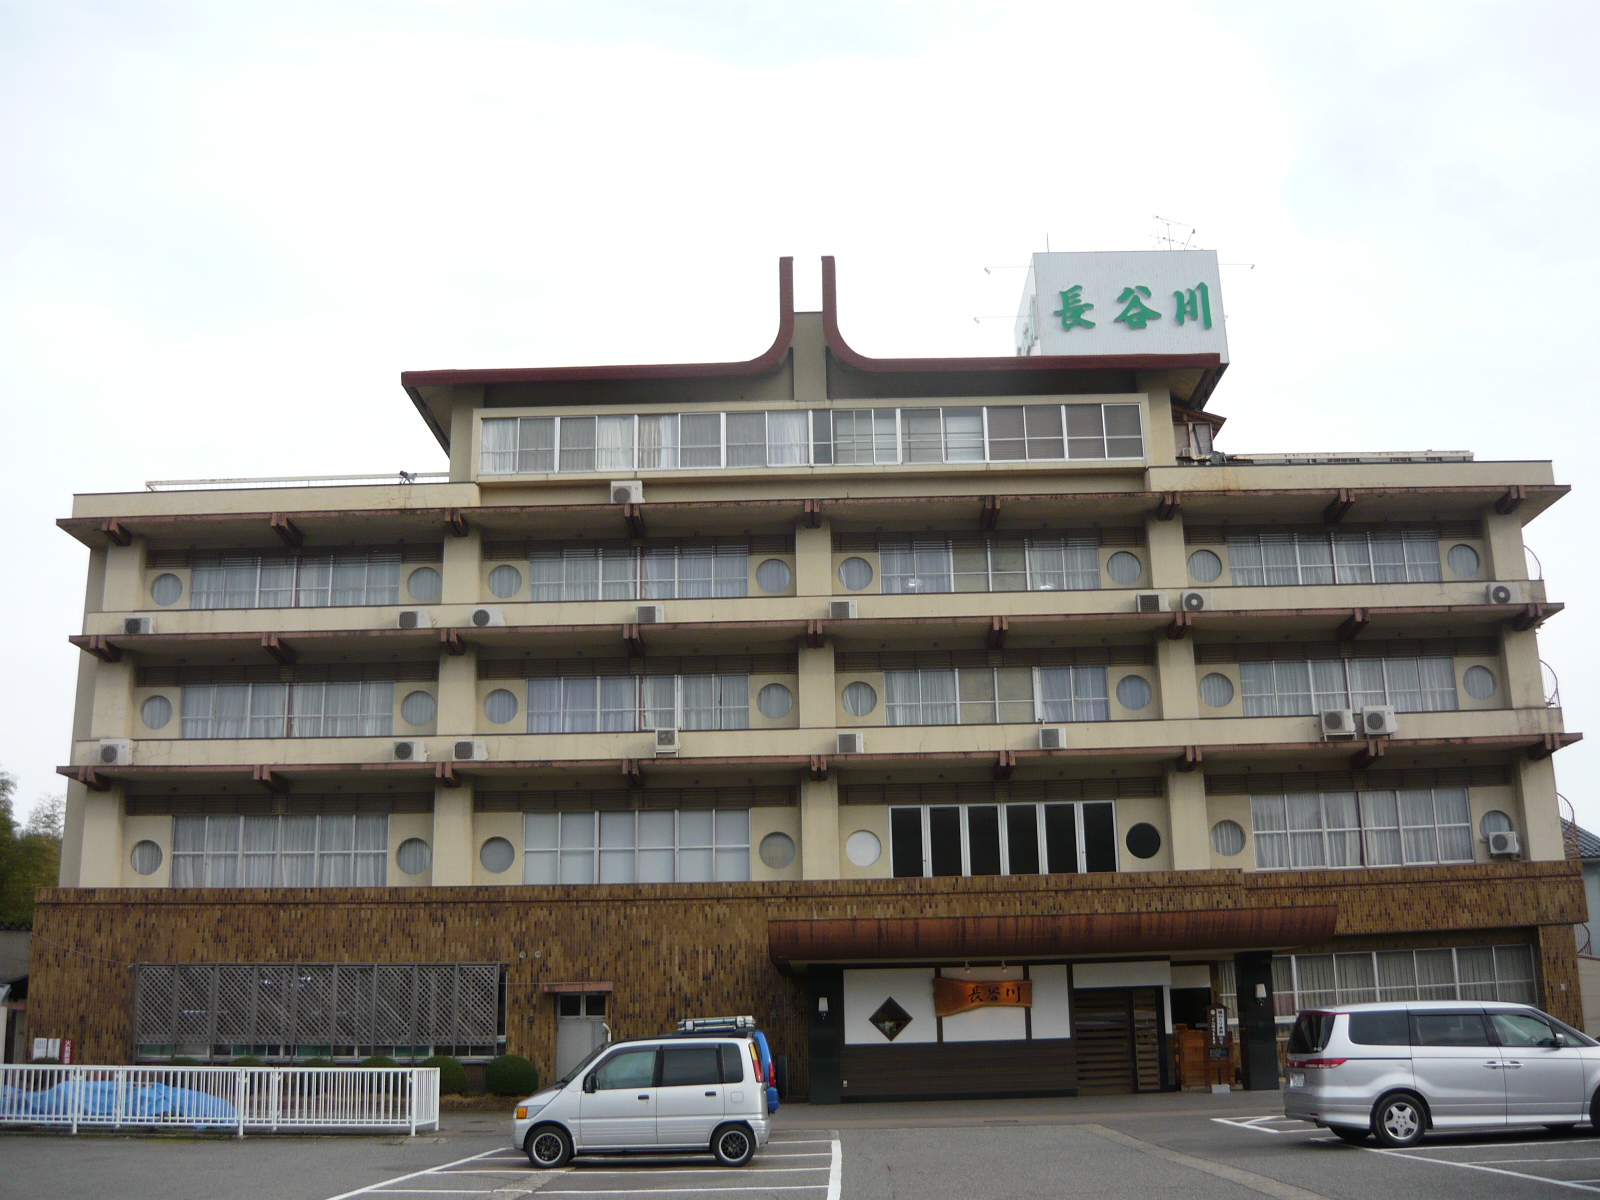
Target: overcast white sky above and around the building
(226, 230)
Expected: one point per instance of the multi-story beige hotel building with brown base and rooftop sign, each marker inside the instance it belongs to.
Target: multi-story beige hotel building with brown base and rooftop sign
(817, 687)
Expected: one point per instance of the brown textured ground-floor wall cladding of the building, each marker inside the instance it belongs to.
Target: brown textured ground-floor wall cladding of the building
(702, 950)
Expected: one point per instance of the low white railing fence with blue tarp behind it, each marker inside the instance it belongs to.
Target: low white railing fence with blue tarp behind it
(222, 1098)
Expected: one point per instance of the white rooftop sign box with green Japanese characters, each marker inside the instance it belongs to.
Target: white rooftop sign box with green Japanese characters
(1124, 302)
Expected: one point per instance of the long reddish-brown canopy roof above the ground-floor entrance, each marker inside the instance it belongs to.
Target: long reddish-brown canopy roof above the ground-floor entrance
(1079, 934)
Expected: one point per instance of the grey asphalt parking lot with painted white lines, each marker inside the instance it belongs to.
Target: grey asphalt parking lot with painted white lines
(1209, 1148)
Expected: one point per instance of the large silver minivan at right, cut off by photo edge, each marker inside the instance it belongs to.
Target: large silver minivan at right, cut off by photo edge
(1404, 1068)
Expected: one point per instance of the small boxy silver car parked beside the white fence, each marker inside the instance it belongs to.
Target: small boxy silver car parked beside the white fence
(663, 1095)
